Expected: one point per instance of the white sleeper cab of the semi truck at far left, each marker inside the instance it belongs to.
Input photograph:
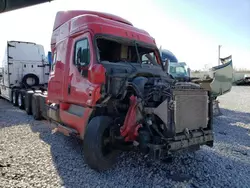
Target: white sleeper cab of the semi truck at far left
(24, 69)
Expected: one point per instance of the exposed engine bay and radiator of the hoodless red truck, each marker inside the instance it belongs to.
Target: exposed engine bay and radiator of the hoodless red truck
(158, 112)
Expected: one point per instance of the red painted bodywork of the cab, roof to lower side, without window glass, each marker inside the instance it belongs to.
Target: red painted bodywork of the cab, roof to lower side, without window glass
(70, 27)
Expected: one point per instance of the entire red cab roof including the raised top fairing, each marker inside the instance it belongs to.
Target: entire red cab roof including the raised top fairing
(71, 22)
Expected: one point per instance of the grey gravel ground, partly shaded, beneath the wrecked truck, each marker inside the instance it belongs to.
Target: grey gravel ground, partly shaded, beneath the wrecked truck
(32, 156)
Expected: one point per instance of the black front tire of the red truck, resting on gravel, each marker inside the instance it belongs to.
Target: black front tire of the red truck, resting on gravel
(94, 155)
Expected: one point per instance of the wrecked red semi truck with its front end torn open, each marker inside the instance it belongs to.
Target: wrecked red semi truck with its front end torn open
(108, 87)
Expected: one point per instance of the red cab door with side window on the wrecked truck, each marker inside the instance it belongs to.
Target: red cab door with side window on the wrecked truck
(78, 89)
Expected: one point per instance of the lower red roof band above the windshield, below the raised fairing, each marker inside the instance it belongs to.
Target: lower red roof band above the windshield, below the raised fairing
(101, 25)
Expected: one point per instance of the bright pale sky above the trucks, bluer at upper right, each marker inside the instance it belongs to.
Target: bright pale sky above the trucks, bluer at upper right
(191, 29)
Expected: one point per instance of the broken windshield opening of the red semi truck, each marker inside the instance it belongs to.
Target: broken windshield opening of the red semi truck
(122, 51)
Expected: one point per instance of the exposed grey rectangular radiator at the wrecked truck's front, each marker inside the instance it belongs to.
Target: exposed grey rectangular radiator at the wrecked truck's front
(190, 109)
